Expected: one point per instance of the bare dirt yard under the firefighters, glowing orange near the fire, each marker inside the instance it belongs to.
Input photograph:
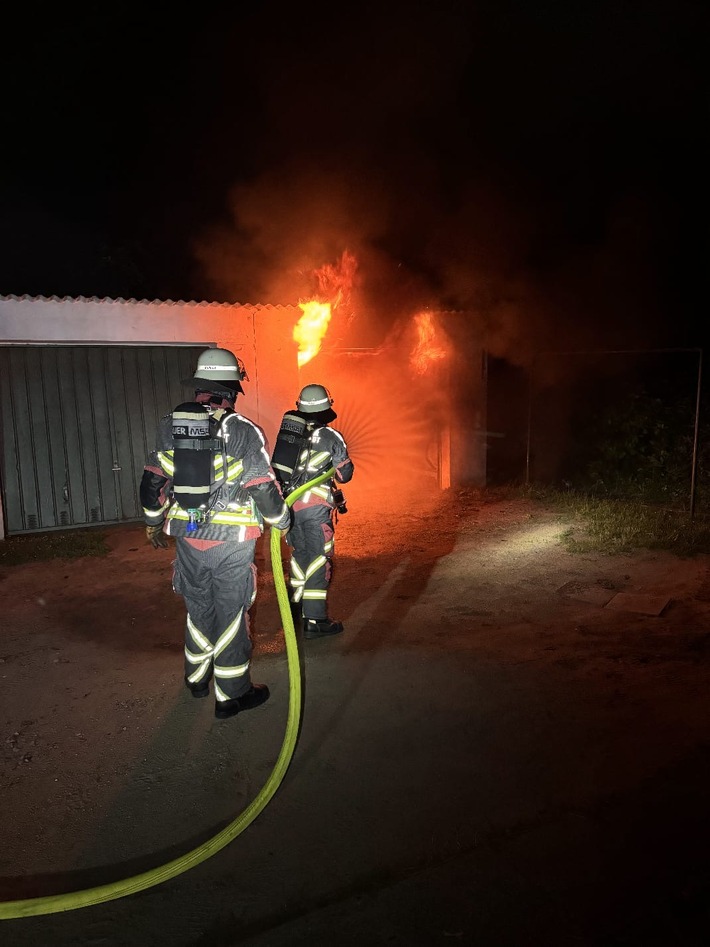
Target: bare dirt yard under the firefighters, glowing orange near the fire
(509, 745)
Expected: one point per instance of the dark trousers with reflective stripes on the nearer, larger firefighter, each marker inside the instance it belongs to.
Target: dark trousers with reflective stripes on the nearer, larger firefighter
(218, 585)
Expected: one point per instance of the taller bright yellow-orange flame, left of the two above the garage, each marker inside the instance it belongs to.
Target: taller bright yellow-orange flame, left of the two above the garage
(334, 287)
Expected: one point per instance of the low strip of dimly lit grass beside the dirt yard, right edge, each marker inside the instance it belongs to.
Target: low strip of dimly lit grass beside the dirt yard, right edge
(623, 526)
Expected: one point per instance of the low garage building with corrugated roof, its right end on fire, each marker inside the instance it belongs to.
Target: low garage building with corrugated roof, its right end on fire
(84, 381)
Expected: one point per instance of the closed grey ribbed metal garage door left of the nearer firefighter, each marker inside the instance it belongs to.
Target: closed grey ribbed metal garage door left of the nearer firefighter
(77, 423)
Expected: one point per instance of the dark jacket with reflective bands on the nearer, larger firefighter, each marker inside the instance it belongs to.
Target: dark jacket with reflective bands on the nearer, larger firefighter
(244, 494)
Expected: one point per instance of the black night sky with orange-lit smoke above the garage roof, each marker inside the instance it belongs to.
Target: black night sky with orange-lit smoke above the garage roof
(542, 166)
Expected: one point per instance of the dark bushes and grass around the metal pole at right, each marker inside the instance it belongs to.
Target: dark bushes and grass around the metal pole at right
(626, 480)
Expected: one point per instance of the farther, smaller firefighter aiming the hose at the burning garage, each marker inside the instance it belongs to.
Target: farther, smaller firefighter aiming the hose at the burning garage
(311, 537)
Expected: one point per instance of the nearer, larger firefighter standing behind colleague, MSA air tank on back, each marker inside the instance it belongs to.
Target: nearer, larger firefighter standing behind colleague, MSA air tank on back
(214, 570)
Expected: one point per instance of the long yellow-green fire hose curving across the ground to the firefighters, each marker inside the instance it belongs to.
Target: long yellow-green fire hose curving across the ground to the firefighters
(53, 904)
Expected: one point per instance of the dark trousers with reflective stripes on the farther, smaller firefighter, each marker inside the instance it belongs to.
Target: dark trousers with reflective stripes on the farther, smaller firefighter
(311, 567)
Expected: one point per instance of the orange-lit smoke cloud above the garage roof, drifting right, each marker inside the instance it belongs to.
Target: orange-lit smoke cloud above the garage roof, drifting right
(521, 290)
